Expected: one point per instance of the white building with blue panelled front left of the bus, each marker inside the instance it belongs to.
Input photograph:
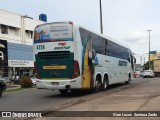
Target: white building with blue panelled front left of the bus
(16, 39)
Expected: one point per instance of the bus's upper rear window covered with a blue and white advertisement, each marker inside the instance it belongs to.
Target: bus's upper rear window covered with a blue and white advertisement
(53, 32)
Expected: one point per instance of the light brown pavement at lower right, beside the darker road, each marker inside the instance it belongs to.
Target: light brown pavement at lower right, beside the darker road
(143, 97)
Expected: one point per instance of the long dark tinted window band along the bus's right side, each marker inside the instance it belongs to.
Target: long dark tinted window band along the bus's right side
(103, 46)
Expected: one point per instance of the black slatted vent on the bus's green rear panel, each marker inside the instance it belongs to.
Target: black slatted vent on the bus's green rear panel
(53, 54)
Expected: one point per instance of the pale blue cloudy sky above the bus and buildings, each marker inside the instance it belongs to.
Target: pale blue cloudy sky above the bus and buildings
(126, 21)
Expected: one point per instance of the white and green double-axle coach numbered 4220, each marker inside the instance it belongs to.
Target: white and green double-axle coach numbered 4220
(68, 57)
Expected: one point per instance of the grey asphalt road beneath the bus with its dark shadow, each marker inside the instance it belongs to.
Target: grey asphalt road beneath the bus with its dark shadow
(43, 100)
